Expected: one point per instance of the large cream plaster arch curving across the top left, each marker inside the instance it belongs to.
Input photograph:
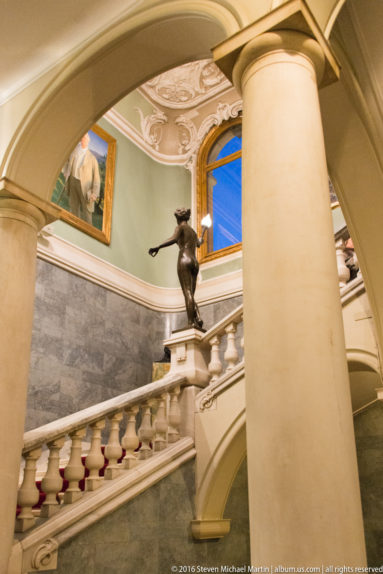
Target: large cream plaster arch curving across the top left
(95, 79)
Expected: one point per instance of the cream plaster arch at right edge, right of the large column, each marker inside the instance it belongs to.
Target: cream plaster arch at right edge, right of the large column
(354, 139)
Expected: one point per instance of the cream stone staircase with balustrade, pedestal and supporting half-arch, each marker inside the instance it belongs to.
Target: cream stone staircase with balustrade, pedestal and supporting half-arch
(197, 410)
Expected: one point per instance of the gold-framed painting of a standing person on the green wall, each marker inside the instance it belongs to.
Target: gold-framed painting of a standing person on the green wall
(84, 188)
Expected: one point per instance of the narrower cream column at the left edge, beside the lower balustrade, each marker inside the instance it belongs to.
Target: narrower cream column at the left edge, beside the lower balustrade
(19, 224)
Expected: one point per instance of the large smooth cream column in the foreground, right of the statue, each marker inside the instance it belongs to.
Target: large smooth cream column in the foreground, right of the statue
(303, 483)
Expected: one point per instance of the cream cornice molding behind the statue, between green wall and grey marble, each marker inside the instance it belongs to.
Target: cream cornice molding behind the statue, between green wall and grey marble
(65, 255)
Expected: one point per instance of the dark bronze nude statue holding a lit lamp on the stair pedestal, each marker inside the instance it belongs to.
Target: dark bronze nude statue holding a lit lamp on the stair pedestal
(187, 265)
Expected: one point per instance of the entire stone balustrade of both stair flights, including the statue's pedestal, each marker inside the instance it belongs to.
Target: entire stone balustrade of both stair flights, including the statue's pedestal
(148, 418)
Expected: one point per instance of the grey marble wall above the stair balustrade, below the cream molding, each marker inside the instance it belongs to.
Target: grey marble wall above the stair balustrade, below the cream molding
(90, 344)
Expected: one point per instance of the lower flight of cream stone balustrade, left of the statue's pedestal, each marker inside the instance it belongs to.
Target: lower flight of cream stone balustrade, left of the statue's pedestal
(156, 427)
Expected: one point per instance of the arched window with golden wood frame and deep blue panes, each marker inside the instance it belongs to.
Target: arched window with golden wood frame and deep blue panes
(219, 169)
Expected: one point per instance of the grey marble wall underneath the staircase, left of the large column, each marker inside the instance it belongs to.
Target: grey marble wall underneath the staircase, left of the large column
(152, 533)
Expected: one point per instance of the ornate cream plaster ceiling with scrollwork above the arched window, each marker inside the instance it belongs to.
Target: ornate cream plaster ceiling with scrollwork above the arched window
(177, 110)
